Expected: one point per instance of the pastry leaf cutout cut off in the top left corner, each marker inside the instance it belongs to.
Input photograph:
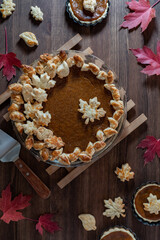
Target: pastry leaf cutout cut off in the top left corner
(7, 8)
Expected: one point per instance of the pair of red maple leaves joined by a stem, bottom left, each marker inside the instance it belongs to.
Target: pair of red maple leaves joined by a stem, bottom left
(11, 211)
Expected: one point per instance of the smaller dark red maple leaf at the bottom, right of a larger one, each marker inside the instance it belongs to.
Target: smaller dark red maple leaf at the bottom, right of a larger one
(45, 222)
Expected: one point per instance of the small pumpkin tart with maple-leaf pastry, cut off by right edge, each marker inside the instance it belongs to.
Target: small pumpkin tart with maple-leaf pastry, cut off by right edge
(146, 203)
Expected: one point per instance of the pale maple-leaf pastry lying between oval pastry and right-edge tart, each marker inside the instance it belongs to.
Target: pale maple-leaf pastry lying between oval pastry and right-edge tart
(115, 208)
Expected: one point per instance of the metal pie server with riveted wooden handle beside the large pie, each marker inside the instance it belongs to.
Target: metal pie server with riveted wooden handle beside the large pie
(9, 152)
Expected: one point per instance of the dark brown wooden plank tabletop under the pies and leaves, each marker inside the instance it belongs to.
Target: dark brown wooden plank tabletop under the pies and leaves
(87, 192)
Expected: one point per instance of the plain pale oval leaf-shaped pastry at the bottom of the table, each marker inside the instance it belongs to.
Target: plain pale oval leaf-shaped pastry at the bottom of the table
(88, 221)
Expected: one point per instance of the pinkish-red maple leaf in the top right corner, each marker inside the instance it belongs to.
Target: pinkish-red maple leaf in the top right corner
(142, 14)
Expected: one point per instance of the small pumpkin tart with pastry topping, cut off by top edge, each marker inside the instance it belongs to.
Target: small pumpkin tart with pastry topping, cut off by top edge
(87, 12)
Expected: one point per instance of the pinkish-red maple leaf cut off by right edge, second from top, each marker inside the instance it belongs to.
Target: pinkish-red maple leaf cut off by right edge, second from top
(146, 56)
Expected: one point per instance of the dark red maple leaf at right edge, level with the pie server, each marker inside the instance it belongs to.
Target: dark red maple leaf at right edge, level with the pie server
(153, 147)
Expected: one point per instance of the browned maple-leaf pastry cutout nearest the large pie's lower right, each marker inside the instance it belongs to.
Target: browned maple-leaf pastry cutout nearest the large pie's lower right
(124, 173)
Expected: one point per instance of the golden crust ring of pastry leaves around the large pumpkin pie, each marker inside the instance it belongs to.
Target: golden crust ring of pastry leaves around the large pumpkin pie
(28, 98)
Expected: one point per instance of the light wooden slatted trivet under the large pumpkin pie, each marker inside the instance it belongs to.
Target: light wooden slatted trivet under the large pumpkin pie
(128, 127)
